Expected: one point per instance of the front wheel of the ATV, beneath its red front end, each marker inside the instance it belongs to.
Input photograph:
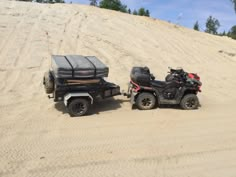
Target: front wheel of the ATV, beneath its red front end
(189, 102)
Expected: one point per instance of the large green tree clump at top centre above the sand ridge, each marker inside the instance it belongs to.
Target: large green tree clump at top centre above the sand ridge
(113, 5)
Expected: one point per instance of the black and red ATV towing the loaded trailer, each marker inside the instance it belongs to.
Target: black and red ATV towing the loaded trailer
(181, 88)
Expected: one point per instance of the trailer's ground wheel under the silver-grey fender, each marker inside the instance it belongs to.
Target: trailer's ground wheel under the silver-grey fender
(78, 107)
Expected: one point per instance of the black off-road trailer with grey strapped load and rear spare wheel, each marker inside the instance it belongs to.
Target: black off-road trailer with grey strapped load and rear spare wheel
(78, 81)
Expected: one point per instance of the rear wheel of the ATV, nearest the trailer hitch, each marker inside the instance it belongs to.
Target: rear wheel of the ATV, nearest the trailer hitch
(145, 101)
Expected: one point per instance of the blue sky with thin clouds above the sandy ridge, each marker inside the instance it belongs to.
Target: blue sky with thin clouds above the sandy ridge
(185, 12)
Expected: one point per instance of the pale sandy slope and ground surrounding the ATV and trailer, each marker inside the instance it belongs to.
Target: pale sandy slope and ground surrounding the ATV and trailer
(38, 138)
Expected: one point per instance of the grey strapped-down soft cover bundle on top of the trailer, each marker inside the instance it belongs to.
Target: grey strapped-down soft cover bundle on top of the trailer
(77, 66)
